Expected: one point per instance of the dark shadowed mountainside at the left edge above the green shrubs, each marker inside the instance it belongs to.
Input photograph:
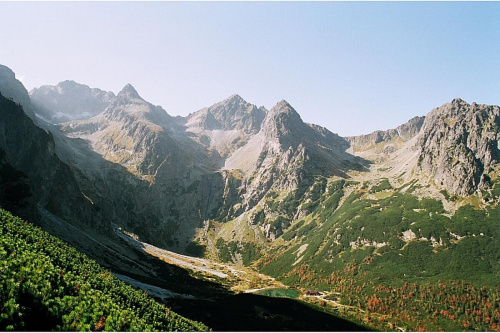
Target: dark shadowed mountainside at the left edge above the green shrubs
(32, 175)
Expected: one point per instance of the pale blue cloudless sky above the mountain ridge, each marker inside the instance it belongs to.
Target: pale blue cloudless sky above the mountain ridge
(352, 67)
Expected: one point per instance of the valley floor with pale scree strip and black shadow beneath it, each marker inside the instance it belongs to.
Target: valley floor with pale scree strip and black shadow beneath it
(224, 297)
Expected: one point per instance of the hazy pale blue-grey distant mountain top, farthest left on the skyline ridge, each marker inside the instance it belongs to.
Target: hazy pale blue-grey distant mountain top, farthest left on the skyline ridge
(69, 101)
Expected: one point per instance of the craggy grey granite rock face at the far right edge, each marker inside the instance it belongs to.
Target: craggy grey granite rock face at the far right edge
(459, 145)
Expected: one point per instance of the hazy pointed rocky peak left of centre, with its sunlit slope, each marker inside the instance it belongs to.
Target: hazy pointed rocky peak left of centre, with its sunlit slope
(143, 138)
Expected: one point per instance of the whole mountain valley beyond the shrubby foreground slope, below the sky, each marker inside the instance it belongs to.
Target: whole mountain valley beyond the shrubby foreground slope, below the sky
(395, 230)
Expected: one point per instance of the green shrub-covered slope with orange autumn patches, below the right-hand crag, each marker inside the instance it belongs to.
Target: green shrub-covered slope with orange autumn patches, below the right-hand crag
(398, 258)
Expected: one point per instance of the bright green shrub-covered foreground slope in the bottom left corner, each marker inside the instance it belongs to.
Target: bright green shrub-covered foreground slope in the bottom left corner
(46, 284)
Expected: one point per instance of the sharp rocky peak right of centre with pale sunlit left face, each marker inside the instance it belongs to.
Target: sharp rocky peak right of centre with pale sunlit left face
(287, 154)
